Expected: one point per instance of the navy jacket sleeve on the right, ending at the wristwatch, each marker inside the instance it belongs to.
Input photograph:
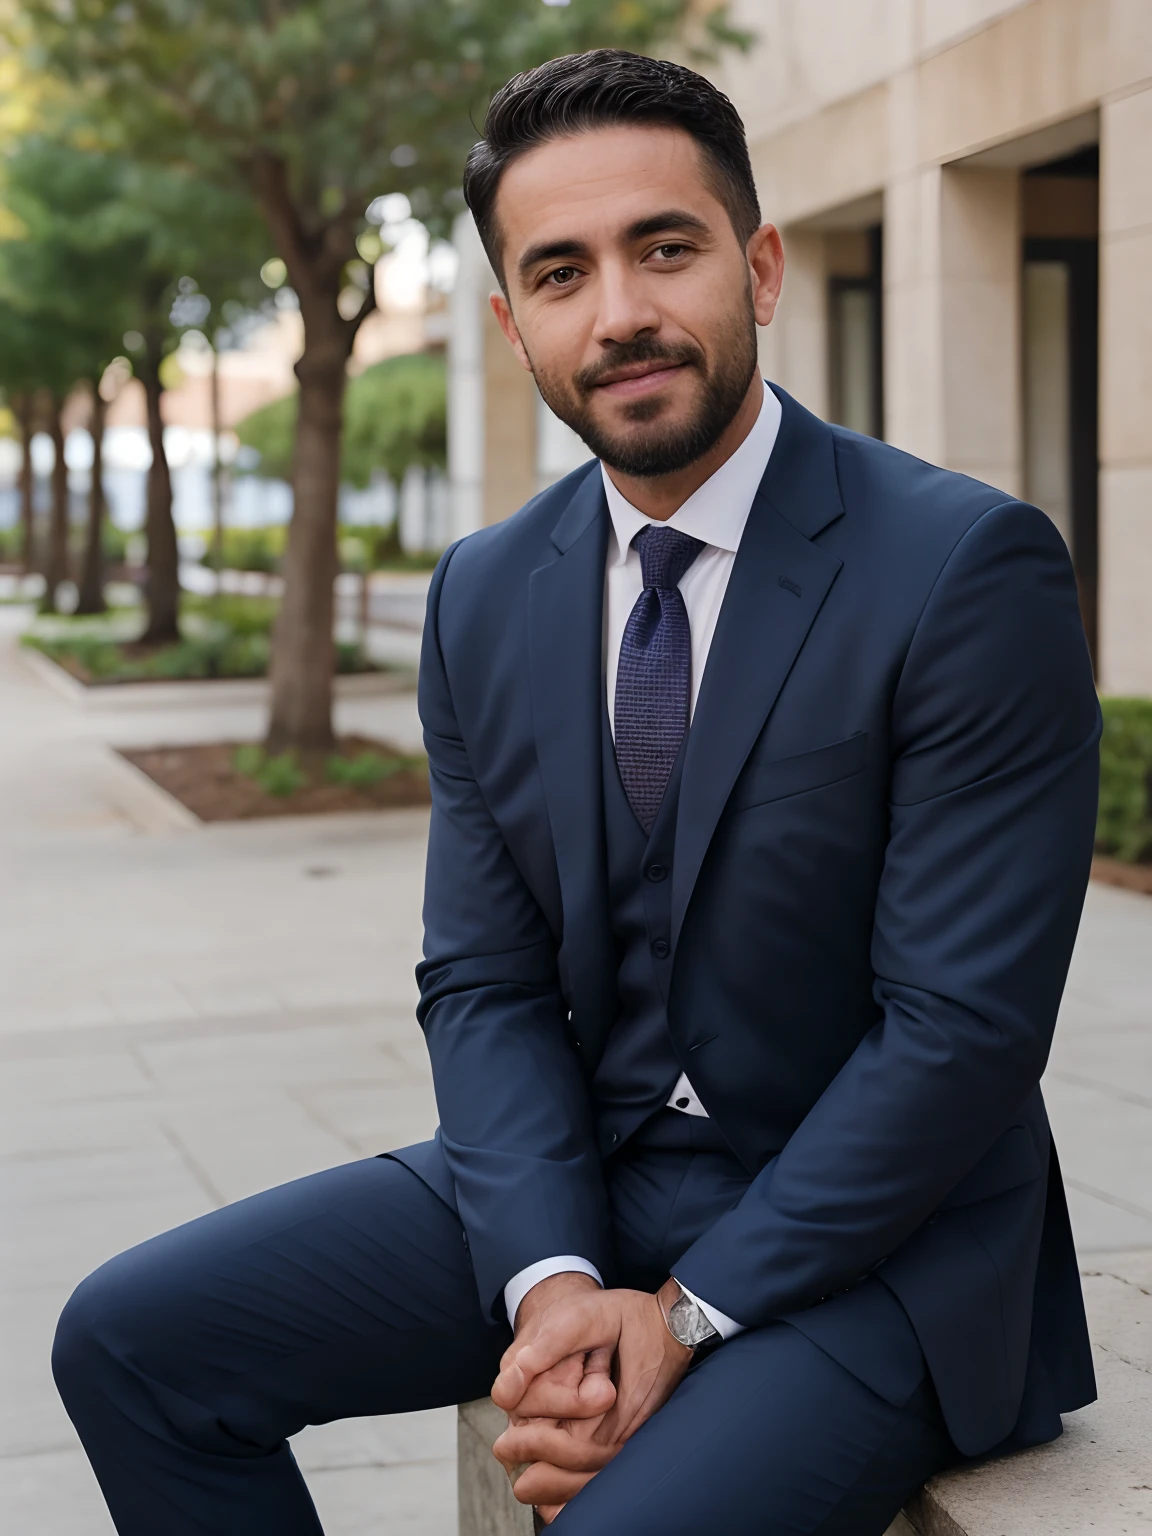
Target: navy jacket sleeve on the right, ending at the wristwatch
(991, 824)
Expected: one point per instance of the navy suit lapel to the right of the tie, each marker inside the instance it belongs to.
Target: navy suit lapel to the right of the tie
(778, 586)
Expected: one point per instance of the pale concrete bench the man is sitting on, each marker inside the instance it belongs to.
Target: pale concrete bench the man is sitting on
(1094, 1481)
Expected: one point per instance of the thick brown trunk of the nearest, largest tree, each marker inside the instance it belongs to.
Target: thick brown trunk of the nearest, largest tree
(303, 652)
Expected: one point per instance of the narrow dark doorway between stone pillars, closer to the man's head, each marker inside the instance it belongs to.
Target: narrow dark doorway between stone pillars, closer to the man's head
(856, 345)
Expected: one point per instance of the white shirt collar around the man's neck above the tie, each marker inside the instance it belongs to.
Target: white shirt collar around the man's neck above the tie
(718, 512)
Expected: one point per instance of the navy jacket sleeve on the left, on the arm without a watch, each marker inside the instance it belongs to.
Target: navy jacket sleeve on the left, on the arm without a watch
(512, 1097)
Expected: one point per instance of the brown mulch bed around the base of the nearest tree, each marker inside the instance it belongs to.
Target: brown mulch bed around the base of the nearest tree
(208, 783)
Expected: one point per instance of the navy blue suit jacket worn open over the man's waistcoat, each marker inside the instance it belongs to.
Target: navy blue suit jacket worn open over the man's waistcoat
(884, 841)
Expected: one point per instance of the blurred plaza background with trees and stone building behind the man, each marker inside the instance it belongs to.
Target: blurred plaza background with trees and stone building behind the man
(251, 388)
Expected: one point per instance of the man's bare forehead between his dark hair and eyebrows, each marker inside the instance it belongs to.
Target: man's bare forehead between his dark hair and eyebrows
(591, 187)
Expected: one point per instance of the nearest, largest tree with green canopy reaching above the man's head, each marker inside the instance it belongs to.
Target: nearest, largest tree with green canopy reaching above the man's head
(317, 107)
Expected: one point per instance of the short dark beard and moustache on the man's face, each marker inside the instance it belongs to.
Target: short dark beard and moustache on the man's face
(647, 448)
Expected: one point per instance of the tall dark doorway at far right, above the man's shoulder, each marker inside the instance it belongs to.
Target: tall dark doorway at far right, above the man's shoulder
(1061, 365)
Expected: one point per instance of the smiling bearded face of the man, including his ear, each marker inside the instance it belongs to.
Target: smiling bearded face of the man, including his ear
(631, 296)
